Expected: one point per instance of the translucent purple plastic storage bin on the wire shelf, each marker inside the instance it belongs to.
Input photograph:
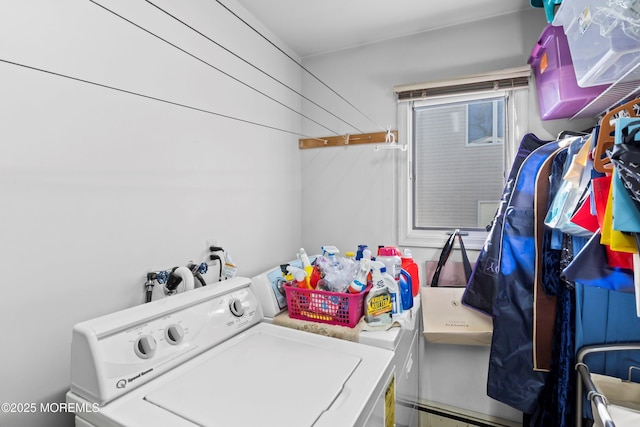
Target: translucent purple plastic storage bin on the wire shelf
(559, 96)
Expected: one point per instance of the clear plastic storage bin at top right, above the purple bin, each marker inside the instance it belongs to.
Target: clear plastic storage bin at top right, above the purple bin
(604, 39)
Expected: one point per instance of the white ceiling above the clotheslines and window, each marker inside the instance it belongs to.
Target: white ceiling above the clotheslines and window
(311, 27)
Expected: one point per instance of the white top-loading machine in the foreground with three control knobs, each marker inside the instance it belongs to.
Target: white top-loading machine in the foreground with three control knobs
(207, 358)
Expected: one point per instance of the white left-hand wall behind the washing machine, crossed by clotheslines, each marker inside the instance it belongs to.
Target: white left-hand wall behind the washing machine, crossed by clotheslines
(100, 186)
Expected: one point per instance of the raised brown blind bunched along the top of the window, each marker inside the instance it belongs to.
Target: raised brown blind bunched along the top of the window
(511, 78)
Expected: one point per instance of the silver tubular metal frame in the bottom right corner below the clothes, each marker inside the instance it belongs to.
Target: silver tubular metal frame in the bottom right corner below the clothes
(584, 378)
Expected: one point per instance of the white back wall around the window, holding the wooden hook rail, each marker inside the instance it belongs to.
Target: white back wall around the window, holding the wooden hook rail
(349, 192)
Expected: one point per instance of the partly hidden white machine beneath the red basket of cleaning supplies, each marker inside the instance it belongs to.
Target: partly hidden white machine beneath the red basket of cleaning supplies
(402, 341)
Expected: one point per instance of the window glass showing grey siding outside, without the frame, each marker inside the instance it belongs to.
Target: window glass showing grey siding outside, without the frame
(458, 160)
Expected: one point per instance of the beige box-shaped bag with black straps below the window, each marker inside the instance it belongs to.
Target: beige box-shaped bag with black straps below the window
(445, 319)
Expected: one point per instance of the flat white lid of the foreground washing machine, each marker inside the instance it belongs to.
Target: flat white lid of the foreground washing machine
(250, 382)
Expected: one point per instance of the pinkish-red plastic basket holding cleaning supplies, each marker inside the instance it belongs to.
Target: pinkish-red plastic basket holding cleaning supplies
(335, 308)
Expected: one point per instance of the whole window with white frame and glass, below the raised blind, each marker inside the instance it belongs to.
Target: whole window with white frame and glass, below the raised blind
(460, 146)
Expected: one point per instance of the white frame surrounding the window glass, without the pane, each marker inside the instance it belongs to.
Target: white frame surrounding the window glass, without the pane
(434, 237)
